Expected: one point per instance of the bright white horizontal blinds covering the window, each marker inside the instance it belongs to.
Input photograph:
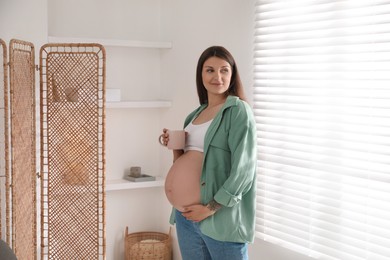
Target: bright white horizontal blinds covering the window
(322, 107)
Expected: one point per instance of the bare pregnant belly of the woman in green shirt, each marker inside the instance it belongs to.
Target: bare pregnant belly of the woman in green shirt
(182, 185)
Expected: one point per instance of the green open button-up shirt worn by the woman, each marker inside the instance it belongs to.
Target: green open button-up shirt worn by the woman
(229, 172)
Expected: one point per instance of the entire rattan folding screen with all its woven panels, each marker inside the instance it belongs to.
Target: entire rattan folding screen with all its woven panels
(72, 125)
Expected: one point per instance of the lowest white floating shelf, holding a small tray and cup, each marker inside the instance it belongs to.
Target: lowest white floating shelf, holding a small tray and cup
(121, 184)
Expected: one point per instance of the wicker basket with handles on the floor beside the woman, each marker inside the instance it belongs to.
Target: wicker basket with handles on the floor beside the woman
(148, 246)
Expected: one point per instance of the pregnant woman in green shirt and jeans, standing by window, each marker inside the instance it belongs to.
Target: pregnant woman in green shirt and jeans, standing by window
(211, 184)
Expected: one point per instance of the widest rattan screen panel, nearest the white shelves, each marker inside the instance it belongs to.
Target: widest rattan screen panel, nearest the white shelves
(72, 80)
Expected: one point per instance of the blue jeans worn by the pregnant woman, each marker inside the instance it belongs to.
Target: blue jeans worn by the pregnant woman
(196, 246)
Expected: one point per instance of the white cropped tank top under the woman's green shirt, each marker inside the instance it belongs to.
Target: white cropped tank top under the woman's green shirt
(195, 136)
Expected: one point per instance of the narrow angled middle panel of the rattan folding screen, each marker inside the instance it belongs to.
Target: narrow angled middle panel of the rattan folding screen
(23, 165)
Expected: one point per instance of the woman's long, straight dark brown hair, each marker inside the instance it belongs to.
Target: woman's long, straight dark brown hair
(235, 88)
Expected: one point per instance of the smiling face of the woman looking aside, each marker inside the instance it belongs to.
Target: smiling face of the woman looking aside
(216, 75)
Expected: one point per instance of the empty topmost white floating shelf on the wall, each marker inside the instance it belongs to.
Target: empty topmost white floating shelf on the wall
(113, 42)
